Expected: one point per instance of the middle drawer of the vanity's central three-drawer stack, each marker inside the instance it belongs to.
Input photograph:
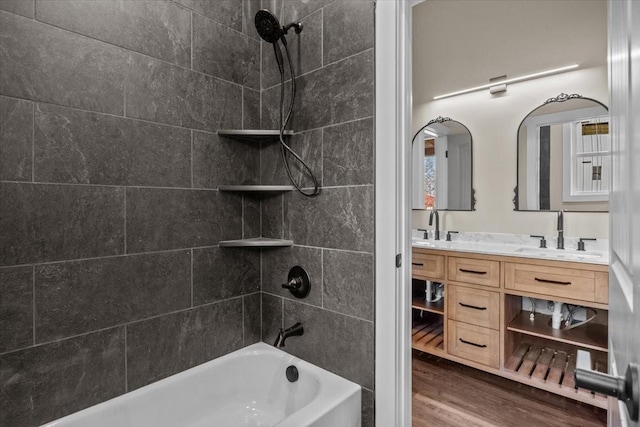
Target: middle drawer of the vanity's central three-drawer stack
(474, 306)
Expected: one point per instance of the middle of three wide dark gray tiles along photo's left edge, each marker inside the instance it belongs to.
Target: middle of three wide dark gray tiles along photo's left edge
(40, 223)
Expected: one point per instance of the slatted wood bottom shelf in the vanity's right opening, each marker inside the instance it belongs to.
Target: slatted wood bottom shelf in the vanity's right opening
(551, 370)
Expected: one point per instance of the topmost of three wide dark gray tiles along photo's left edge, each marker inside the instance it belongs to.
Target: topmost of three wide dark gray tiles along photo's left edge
(44, 63)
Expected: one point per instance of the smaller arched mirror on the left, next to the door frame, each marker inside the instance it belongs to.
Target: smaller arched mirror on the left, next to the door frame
(442, 171)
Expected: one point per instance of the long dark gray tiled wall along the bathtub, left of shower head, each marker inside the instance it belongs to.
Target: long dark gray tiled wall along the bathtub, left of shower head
(110, 274)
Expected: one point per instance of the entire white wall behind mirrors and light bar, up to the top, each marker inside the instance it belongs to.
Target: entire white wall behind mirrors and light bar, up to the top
(476, 40)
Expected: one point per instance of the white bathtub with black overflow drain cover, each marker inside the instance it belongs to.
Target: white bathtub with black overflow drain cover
(246, 388)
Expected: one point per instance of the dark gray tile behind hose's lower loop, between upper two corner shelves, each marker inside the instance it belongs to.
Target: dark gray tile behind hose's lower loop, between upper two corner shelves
(307, 145)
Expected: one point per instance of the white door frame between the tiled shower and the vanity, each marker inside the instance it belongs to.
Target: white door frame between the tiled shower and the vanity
(392, 212)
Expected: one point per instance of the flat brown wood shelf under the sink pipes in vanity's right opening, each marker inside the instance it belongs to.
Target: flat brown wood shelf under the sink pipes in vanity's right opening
(592, 335)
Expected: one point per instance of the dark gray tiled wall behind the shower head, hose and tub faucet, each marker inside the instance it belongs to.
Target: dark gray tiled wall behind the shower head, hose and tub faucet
(333, 233)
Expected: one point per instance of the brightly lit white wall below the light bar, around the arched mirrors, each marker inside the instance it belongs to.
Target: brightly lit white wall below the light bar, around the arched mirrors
(493, 122)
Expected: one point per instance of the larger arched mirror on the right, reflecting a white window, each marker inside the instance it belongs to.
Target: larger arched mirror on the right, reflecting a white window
(564, 156)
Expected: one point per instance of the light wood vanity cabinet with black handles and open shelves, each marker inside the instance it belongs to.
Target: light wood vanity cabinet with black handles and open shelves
(482, 321)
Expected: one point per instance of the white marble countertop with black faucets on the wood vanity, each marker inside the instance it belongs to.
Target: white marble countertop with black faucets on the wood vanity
(516, 245)
